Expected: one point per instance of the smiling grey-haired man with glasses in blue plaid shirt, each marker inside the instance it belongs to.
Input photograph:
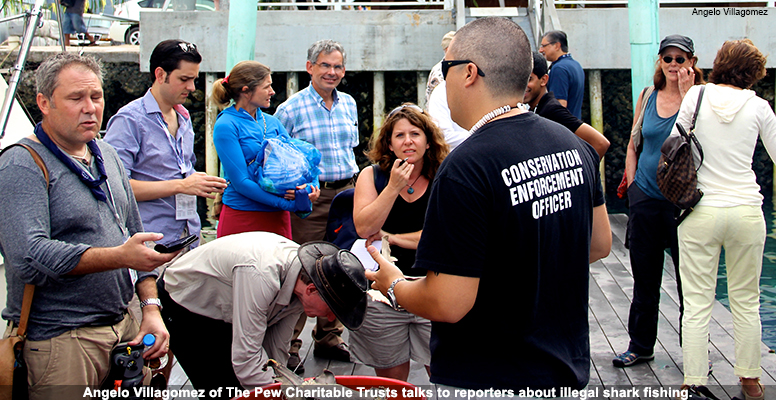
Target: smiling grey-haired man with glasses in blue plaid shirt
(328, 119)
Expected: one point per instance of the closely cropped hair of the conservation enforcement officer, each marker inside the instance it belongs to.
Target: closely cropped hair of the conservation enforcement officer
(500, 48)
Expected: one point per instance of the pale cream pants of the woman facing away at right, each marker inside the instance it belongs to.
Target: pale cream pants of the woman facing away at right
(741, 231)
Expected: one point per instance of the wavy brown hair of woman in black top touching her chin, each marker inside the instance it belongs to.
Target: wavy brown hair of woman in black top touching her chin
(379, 145)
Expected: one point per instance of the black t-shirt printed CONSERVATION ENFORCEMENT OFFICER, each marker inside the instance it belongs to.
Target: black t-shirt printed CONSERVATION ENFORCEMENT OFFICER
(513, 206)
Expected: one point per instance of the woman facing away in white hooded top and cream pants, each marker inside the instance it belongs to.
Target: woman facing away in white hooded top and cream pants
(730, 120)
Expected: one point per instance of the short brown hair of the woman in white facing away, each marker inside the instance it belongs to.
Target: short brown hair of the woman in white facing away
(738, 63)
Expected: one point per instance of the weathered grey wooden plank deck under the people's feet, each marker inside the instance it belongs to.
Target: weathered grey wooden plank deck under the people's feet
(611, 288)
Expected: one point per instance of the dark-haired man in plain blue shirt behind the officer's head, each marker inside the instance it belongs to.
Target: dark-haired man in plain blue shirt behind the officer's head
(567, 79)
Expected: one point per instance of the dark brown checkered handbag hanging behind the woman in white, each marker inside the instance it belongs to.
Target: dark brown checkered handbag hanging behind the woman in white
(676, 172)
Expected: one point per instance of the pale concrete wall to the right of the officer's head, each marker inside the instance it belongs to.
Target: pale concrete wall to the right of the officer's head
(598, 38)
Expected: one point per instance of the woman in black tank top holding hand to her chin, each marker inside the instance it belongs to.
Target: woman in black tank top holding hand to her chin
(407, 152)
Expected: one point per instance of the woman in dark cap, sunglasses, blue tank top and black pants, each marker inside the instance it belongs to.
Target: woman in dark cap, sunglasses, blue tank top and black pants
(652, 218)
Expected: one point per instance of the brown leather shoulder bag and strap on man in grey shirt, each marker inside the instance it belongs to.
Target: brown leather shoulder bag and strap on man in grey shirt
(13, 371)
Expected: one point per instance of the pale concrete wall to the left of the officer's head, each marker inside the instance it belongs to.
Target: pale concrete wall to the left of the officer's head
(376, 40)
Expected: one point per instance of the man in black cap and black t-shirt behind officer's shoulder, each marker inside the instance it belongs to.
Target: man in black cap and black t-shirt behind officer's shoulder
(546, 105)
